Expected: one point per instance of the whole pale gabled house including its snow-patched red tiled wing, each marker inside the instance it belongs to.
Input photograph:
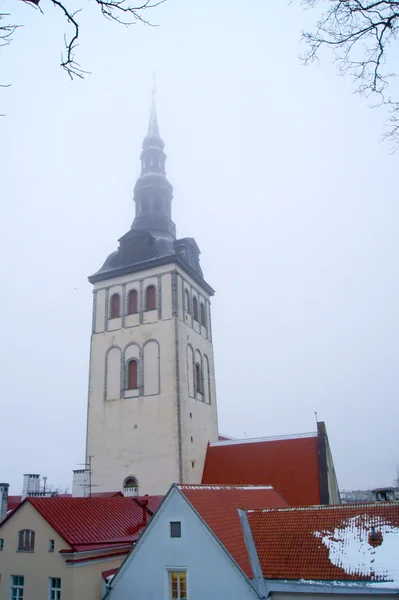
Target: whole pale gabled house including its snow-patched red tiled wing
(244, 542)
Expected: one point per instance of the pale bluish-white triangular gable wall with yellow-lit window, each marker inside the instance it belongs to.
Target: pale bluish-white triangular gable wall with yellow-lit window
(211, 574)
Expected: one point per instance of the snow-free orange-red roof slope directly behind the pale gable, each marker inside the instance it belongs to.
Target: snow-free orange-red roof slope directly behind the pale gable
(218, 506)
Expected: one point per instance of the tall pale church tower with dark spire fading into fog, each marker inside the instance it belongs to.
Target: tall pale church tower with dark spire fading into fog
(152, 401)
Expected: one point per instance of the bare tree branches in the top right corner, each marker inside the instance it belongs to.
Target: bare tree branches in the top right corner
(360, 34)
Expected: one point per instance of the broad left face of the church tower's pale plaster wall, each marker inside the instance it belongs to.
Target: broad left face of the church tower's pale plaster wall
(136, 435)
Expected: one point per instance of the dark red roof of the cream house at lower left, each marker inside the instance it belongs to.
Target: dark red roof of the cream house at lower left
(87, 522)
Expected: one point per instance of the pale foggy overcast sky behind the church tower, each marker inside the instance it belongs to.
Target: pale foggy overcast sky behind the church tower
(277, 173)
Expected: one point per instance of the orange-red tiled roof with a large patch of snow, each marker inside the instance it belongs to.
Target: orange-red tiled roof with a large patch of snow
(331, 543)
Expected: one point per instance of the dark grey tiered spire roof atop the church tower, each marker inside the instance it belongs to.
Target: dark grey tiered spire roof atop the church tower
(152, 237)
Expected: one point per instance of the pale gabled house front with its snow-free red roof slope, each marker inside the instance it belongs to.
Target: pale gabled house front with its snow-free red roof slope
(179, 556)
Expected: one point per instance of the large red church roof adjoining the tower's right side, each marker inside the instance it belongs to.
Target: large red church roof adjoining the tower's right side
(289, 464)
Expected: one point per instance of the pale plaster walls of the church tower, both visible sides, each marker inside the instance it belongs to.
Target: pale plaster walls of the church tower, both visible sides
(138, 434)
